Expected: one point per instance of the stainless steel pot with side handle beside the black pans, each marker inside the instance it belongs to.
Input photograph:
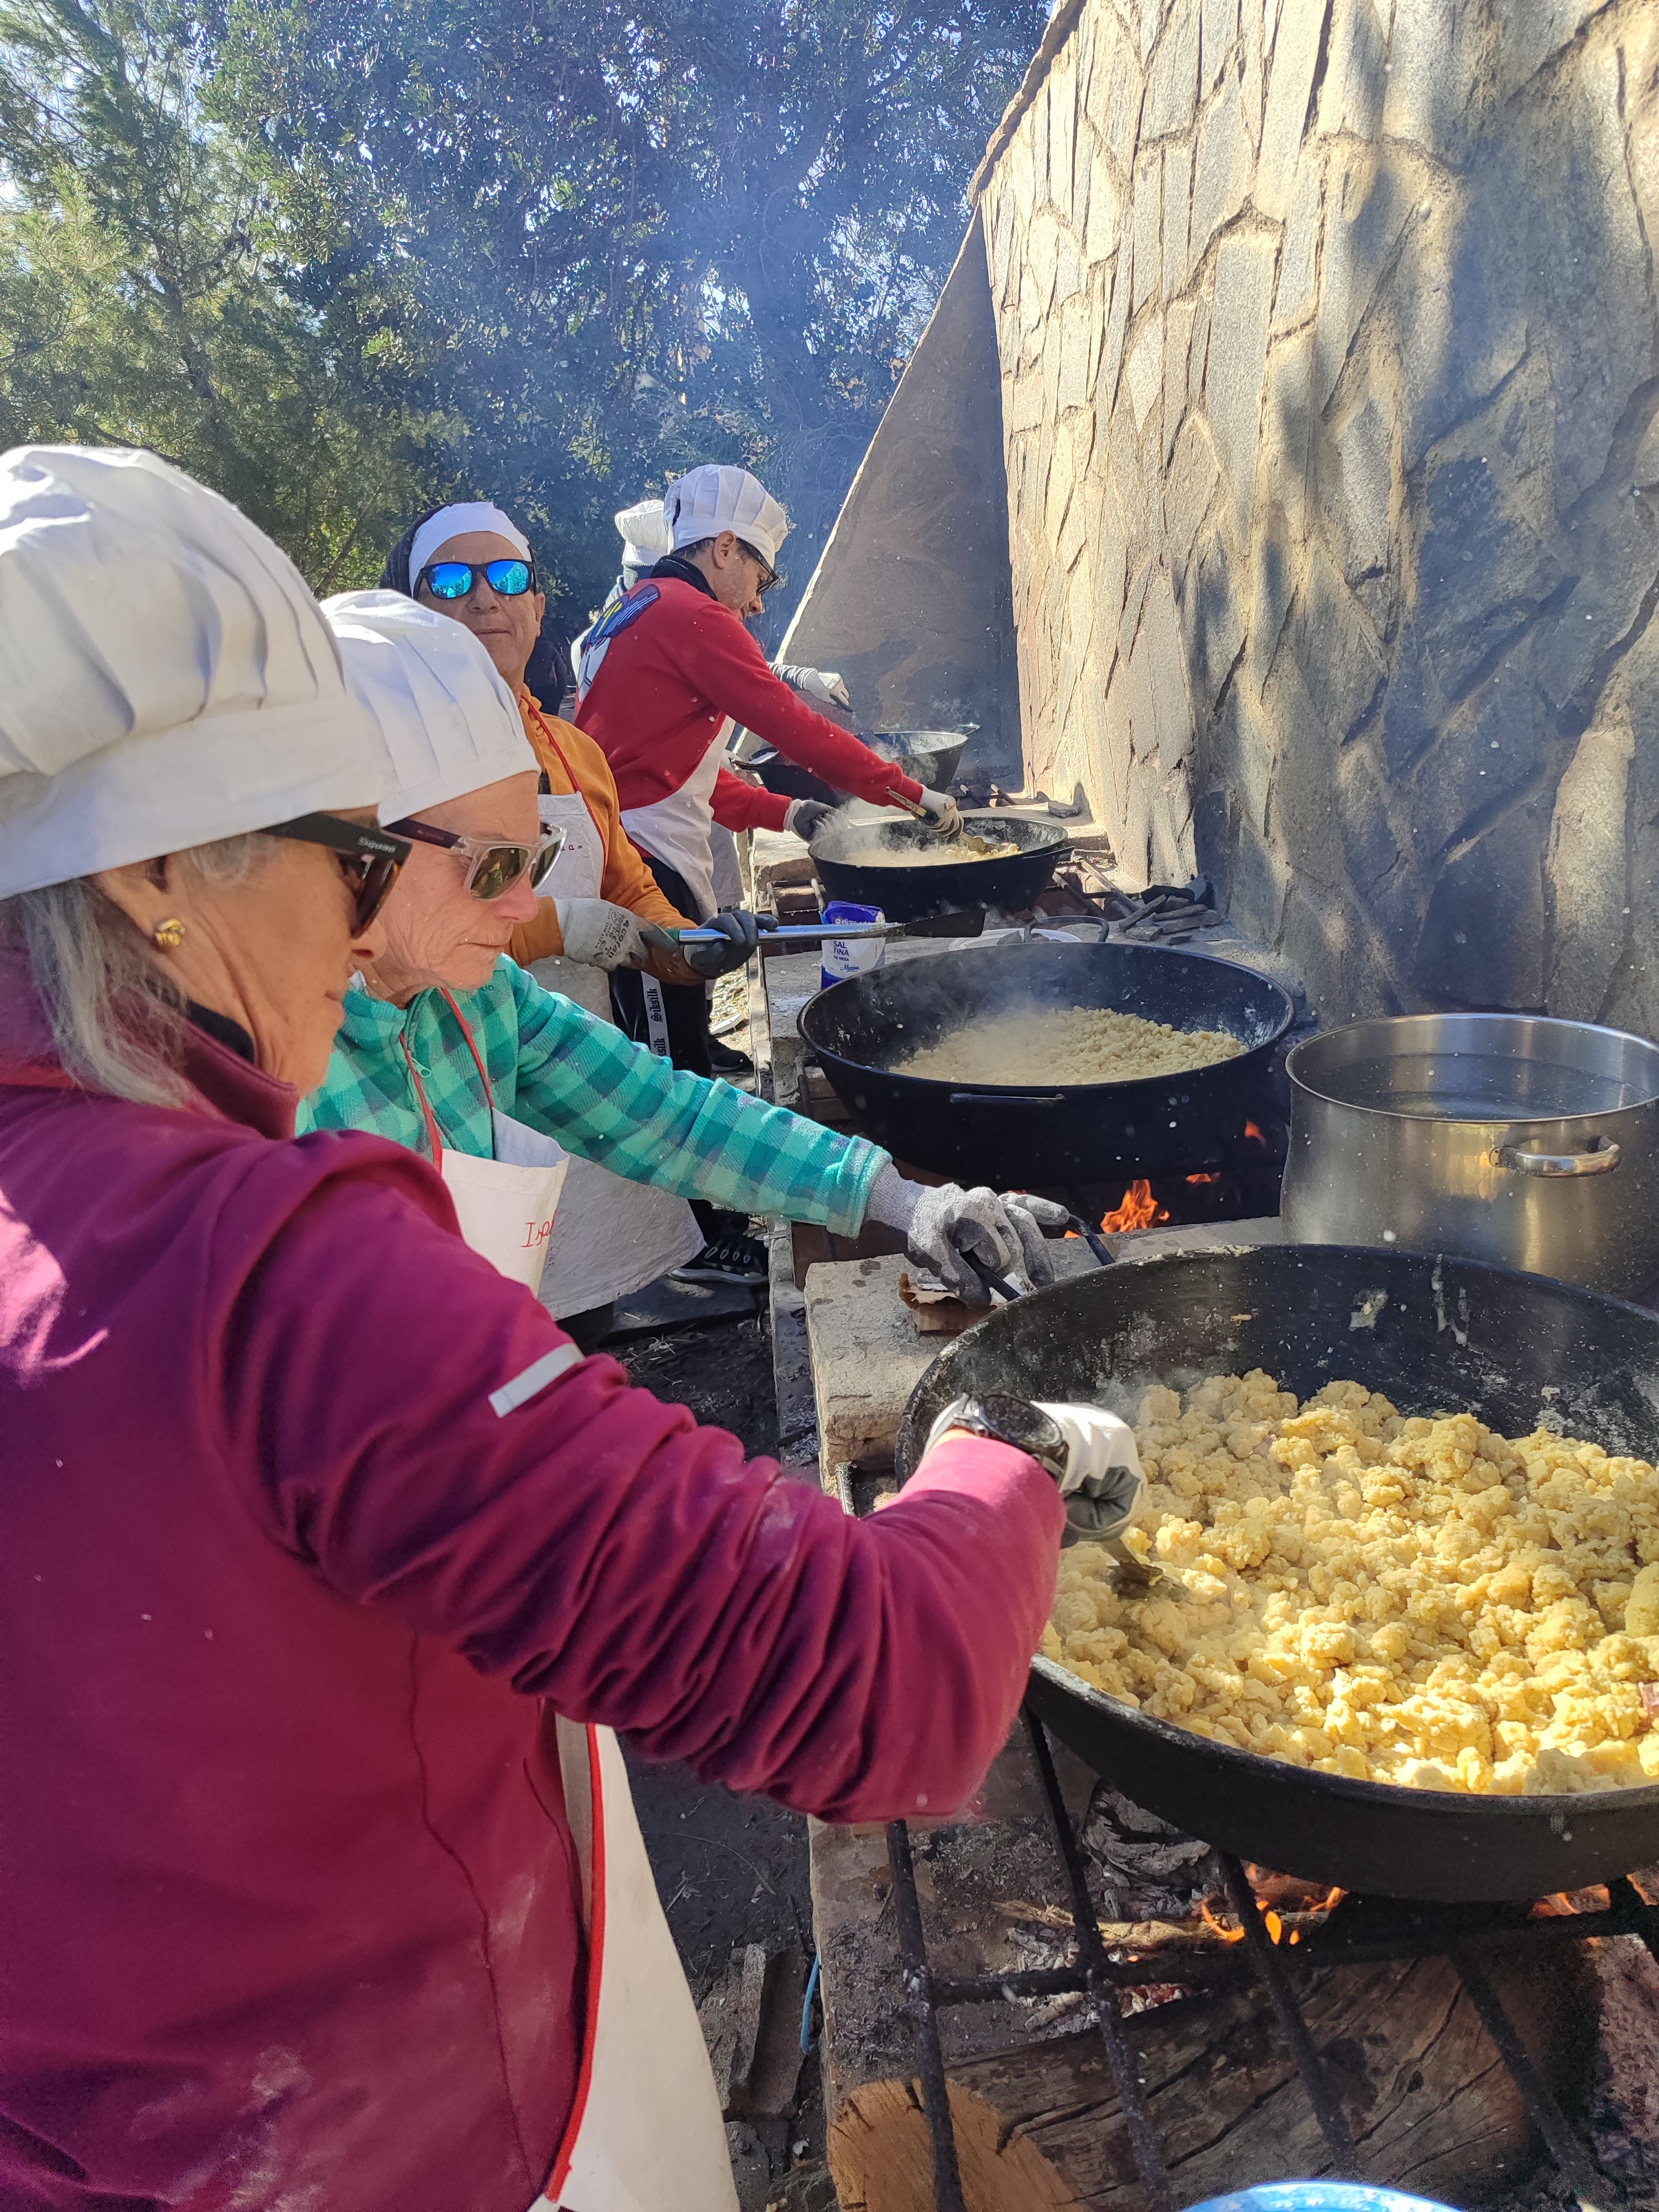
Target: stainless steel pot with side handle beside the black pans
(1496, 1136)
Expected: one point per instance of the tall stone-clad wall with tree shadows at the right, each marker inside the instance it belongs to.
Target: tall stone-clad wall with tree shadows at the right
(1328, 406)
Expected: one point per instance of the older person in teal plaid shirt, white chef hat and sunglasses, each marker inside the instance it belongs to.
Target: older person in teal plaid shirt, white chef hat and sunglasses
(446, 1027)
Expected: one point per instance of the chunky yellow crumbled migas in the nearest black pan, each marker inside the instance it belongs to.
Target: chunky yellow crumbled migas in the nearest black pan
(1399, 1600)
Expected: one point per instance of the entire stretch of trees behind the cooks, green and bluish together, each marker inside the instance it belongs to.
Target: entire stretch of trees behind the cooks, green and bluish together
(346, 258)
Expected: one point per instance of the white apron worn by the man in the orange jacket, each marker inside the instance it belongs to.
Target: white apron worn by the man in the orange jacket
(612, 1235)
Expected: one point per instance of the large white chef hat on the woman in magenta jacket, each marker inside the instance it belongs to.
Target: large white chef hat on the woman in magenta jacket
(165, 674)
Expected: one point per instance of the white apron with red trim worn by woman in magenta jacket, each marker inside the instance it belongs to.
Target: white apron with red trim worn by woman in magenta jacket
(645, 2131)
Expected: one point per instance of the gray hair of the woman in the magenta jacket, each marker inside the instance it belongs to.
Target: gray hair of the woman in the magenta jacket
(114, 1014)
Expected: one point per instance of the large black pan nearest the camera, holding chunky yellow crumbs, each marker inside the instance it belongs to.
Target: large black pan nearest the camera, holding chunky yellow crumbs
(1454, 1335)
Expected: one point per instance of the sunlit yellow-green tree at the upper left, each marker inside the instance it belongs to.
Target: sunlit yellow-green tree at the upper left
(143, 300)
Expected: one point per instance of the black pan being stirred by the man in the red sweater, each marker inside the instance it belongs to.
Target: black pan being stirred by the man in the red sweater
(875, 864)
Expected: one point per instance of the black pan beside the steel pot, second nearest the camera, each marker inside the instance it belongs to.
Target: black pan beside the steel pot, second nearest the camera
(1047, 1134)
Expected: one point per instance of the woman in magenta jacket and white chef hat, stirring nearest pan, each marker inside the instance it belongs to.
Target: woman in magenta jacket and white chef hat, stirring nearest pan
(311, 1521)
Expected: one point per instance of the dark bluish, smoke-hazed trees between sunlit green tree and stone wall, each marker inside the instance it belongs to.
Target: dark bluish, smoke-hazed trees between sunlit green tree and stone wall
(634, 236)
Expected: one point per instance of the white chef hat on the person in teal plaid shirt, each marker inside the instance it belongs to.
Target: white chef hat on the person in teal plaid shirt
(446, 718)
